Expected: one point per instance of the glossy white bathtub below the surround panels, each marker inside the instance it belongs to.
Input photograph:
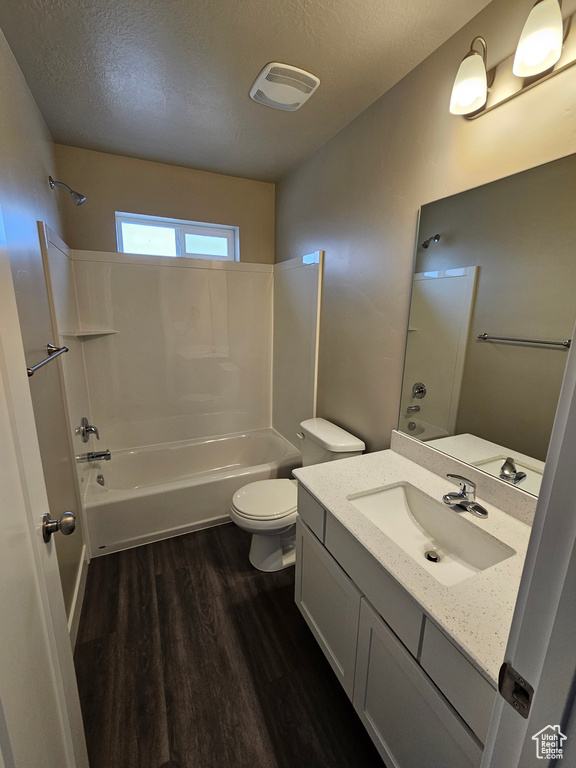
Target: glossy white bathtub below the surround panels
(160, 491)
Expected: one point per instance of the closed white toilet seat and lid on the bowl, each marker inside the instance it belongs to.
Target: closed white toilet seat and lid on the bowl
(266, 499)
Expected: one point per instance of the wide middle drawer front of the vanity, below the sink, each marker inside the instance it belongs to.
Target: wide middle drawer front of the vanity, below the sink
(395, 606)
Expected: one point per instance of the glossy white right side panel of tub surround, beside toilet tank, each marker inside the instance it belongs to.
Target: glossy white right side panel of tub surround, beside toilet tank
(297, 305)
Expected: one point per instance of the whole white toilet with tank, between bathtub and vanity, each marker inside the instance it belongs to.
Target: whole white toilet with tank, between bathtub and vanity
(268, 508)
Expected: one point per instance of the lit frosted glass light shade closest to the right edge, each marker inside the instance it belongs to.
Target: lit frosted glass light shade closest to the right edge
(540, 44)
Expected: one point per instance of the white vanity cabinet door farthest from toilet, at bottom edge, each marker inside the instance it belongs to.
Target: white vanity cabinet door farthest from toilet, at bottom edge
(408, 719)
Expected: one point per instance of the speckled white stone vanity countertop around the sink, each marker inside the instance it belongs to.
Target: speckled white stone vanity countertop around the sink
(475, 613)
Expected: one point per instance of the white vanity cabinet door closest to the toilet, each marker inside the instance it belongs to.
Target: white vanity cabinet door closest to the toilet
(329, 602)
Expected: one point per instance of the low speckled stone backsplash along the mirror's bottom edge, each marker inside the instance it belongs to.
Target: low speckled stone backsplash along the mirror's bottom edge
(513, 499)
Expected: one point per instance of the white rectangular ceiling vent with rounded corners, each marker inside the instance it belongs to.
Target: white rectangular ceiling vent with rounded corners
(282, 86)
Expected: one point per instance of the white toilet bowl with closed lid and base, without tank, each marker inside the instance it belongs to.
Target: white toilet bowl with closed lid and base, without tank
(267, 510)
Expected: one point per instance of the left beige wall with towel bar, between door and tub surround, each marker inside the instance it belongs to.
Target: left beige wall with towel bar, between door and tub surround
(26, 160)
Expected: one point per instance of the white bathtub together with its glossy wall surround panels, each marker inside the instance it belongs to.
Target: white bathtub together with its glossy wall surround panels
(168, 354)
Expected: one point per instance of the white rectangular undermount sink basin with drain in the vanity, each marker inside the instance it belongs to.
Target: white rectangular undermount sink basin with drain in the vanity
(420, 525)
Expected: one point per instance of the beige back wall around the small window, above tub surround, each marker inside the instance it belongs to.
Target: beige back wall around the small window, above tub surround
(115, 183)
